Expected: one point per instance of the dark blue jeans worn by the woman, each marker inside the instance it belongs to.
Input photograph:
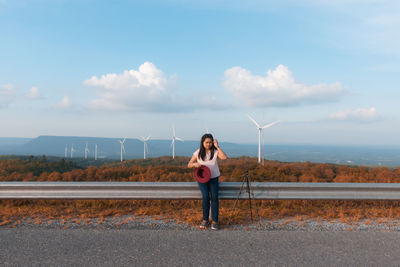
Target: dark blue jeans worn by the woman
(209, 191)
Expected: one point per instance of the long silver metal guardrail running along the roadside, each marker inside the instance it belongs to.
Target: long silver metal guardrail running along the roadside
(190, 190)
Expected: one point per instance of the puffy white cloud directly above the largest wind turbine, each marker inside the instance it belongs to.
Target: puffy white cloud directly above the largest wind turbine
(277, 88)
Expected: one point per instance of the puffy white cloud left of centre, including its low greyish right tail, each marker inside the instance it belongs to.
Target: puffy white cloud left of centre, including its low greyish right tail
(148, 89)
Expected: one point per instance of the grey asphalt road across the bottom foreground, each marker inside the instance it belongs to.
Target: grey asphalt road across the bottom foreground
(105, 247)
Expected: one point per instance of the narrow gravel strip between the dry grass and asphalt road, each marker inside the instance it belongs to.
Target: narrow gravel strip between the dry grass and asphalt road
(149, 223)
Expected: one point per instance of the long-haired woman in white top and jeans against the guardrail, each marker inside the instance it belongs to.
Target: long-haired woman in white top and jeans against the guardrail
(207, 155)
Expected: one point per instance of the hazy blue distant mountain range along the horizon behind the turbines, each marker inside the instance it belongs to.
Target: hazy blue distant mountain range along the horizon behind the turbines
(110, 148)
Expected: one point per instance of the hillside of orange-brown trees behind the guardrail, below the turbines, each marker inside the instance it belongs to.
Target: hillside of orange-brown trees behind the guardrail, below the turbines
(167, 169)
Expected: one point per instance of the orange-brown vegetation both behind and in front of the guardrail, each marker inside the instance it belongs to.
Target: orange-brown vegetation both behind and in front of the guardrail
(12, 212)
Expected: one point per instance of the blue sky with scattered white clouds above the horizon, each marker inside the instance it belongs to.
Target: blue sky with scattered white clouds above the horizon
(328, 71)
